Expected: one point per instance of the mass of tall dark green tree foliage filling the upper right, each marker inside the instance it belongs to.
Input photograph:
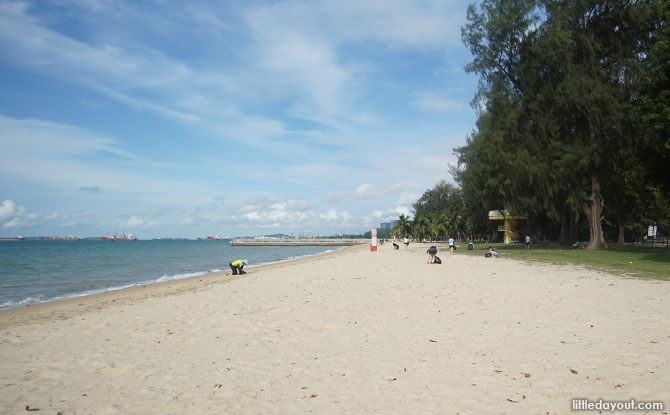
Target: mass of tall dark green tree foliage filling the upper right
(566, 90)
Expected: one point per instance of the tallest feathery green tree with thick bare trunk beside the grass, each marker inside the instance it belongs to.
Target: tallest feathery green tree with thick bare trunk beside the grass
(556, 94)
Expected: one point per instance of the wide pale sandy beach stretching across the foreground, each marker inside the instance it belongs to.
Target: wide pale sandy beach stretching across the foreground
(348, 332)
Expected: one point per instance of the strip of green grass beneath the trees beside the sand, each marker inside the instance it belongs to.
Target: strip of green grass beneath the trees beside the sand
(642, 262)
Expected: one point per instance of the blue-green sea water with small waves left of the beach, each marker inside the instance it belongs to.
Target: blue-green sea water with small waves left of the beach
(37, 271)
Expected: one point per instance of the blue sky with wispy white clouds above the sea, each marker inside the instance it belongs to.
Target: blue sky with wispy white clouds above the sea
(195, 118)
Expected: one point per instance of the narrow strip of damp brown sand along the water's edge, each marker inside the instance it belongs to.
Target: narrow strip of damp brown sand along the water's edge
(62, 308)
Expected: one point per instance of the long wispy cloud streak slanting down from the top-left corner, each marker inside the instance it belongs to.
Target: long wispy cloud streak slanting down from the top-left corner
(145, 79)
